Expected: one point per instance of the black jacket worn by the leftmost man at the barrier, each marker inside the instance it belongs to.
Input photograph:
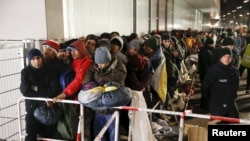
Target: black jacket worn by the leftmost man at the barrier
(47, 83)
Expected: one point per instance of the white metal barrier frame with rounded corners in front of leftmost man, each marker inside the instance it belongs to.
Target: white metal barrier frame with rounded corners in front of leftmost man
(80, 132)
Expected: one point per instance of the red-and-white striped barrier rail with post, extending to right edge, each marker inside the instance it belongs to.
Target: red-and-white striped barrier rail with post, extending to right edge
(183, 114)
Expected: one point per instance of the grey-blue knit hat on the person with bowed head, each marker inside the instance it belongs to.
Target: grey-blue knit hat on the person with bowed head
(102, 55)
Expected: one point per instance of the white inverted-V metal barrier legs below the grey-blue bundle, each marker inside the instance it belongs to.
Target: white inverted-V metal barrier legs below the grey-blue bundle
(115, 116)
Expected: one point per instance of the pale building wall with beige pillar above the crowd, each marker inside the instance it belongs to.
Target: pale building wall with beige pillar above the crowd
(65, 19)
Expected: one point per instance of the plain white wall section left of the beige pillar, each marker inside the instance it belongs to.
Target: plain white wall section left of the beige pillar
(22, 19)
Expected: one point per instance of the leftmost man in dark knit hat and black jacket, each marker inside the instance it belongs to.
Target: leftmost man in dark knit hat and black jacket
(37, 81)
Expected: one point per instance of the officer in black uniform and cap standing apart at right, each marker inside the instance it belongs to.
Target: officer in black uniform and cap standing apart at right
(220, 86)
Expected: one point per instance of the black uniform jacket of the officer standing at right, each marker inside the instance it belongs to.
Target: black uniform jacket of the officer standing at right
(220, 84)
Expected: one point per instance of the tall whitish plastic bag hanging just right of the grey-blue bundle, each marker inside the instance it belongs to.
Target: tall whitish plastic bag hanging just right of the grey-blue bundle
(139, 121)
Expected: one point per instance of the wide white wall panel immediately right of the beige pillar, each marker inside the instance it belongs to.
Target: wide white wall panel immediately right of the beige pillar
(82, 17)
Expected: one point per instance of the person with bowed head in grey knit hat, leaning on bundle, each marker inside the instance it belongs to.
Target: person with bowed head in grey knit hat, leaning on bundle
(106, 68)
